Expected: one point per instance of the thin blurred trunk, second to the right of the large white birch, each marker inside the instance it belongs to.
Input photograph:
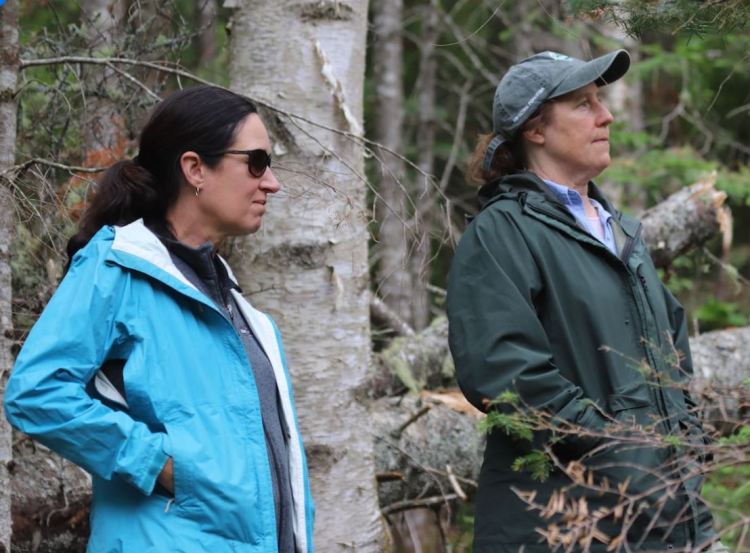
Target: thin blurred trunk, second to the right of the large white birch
(424, 190)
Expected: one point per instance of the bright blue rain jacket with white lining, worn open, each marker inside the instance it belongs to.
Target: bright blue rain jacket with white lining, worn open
(189, 395)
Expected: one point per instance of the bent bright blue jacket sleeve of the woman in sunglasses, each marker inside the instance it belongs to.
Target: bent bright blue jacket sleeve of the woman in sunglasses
(45, 396)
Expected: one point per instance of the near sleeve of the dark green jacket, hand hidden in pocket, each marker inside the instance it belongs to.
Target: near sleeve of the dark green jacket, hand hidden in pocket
(496, 338)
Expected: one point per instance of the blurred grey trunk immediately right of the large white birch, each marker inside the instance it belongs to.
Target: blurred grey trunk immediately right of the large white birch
(394, 278)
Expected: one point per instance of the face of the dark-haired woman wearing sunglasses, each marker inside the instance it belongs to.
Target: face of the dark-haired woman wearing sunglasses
(232, 201)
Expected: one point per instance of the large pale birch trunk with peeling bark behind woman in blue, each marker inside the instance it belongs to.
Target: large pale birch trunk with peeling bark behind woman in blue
(307, 266)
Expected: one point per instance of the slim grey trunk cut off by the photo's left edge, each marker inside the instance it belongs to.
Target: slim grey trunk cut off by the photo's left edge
(8, 82)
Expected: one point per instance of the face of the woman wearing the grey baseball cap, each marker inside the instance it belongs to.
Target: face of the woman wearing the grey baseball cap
(572, 147)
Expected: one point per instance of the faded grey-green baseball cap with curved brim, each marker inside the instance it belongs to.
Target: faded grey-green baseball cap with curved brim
(542, 77)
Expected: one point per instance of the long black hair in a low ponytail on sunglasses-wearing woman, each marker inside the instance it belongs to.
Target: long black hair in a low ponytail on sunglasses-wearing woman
(201, 119)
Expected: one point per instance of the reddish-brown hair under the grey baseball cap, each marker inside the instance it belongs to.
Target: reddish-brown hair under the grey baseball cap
(510, 157)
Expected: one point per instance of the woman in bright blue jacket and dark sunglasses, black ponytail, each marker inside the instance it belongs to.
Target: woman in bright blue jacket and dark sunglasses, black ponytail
(150, 370)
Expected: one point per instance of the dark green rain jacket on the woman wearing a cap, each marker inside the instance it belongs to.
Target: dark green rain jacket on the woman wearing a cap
(540, 308)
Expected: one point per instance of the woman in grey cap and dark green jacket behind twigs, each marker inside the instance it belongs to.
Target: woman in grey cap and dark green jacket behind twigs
(553, 298)
